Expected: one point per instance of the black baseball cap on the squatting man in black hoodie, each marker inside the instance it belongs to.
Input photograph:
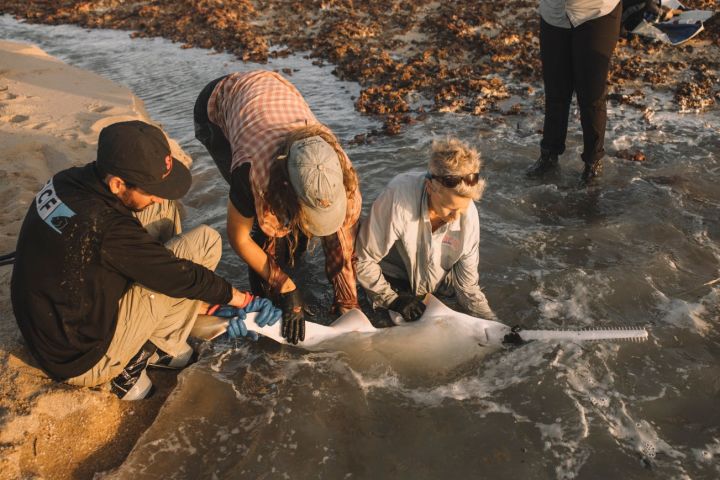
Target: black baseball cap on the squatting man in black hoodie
(139, 153)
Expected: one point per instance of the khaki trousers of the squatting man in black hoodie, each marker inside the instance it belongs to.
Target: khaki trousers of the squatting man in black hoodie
(144, 314)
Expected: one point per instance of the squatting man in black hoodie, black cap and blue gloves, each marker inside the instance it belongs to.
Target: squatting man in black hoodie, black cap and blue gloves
(104, 283)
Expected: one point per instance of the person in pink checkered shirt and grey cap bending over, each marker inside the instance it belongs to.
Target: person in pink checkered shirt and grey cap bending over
(289, 180)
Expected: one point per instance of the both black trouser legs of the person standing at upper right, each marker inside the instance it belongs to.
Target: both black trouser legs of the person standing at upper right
(577, 60)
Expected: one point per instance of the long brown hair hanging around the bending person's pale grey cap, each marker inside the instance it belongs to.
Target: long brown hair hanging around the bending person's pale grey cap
(281, 197)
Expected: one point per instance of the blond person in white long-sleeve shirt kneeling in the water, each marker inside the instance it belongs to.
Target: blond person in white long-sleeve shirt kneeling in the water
(423, 234)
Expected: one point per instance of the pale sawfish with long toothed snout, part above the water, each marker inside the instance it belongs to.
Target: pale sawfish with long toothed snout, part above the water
(437, 315)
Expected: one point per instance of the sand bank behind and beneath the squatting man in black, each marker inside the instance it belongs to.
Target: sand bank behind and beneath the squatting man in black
(50, 117)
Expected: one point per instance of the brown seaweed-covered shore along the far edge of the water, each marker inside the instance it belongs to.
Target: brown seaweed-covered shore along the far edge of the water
(458, 57)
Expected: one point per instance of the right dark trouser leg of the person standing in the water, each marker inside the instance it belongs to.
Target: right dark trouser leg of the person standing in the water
(592, 46)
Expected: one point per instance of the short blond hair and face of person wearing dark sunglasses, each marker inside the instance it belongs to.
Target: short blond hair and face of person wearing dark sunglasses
(451, 156)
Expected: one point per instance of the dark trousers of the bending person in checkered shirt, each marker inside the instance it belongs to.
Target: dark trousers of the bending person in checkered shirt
(210, 134)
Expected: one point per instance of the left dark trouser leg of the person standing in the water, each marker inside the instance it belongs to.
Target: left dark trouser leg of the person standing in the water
(555, 54)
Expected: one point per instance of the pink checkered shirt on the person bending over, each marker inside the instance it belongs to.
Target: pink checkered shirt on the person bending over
(256, 111)
